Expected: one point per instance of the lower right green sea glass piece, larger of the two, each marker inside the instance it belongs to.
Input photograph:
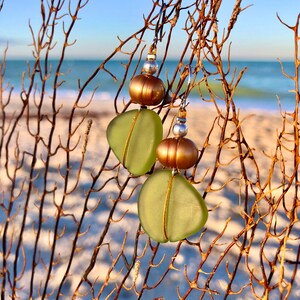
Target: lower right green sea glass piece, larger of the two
(170, 208)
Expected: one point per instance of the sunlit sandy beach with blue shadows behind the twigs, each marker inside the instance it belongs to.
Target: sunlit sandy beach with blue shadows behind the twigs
(224, 198)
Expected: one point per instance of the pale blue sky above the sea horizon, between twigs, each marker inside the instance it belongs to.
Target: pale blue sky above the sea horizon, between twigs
(257, 35)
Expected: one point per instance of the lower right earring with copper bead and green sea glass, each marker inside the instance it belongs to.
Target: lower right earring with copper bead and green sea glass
(169, 207)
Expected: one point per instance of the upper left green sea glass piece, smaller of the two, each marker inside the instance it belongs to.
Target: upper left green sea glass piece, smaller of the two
(133, 137)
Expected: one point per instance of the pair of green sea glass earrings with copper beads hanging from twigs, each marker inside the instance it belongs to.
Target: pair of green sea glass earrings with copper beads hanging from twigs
(169, 207)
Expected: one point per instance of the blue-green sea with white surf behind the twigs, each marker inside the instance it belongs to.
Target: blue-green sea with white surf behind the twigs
(261, 85)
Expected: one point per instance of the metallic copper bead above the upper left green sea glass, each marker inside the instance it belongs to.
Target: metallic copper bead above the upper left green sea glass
(146, 89)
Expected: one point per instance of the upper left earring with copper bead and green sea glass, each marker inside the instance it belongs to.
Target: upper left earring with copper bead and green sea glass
(134, 135)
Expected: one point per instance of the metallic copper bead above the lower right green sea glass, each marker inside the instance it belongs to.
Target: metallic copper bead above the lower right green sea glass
(179, 153)
